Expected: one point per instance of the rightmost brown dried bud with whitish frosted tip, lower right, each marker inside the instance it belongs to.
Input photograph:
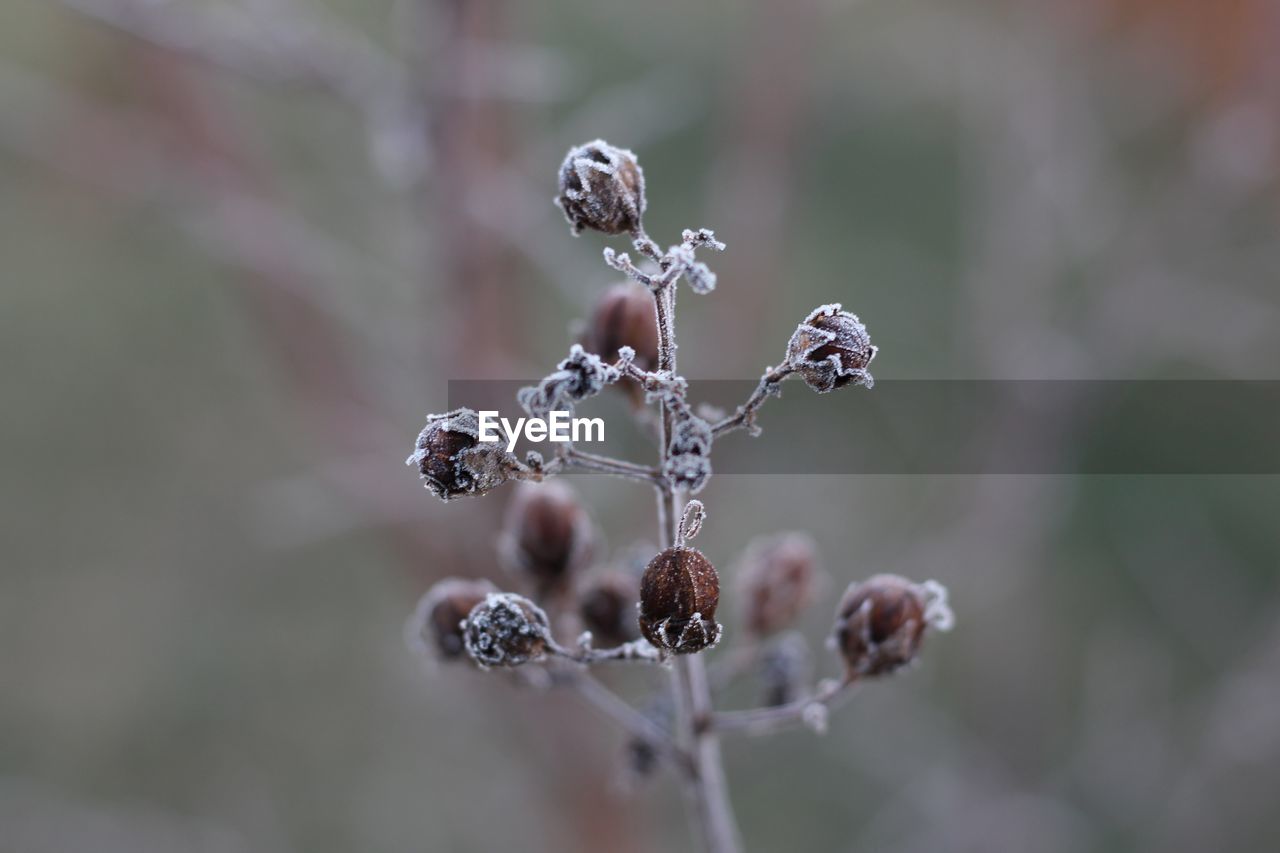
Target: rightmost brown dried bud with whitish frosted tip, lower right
(881, 622)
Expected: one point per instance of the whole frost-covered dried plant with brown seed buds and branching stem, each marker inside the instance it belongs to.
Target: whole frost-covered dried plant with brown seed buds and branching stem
(670, 617)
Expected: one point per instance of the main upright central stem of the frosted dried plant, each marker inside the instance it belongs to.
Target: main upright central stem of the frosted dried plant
(708, 790)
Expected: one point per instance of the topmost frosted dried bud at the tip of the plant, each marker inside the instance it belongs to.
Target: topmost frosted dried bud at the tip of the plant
(602, 188)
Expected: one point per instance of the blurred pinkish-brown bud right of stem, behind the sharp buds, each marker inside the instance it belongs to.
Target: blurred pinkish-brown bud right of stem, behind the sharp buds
(776, 582)
